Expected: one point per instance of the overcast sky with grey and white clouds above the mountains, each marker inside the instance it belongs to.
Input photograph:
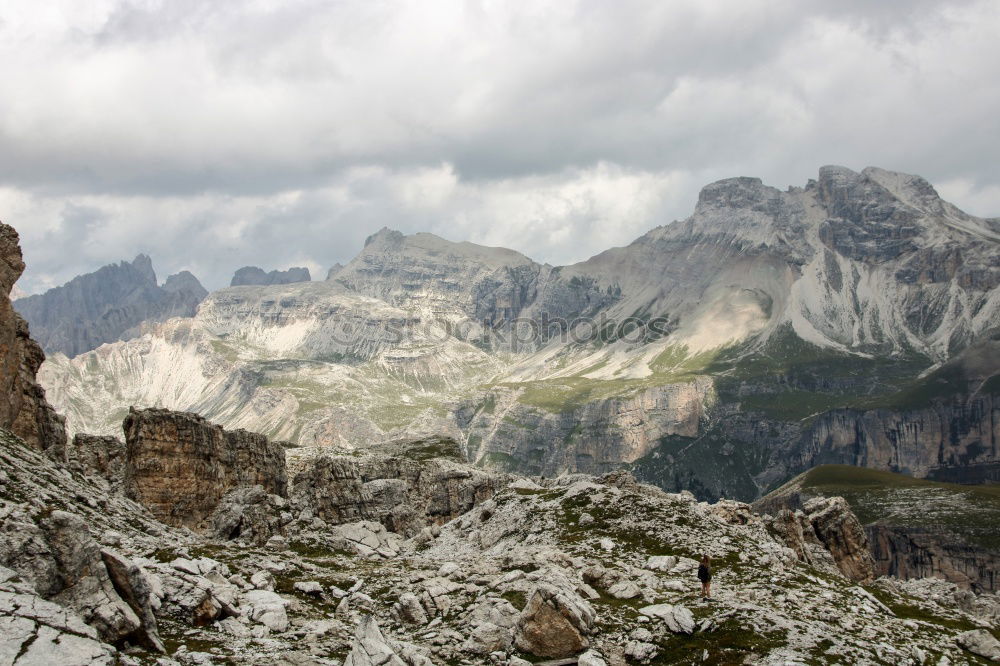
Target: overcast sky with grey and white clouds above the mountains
(212, 135)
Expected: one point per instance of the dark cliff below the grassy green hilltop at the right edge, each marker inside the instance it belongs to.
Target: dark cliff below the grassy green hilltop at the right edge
(909, 552)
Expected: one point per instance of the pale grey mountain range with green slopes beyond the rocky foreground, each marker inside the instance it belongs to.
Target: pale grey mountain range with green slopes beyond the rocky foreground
(853, 320)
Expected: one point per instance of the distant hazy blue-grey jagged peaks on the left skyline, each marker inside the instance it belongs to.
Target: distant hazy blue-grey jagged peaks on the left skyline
(108, 305)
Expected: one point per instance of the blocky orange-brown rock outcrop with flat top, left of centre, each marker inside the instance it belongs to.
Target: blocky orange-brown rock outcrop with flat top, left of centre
(179, 465)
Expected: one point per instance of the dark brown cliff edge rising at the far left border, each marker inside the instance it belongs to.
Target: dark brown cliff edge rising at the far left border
(24, 410)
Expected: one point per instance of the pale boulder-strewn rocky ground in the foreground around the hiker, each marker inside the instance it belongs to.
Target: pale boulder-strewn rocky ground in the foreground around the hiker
(479, 568)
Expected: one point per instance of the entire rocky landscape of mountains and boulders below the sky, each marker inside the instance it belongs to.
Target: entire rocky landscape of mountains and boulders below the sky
(450, 454)
